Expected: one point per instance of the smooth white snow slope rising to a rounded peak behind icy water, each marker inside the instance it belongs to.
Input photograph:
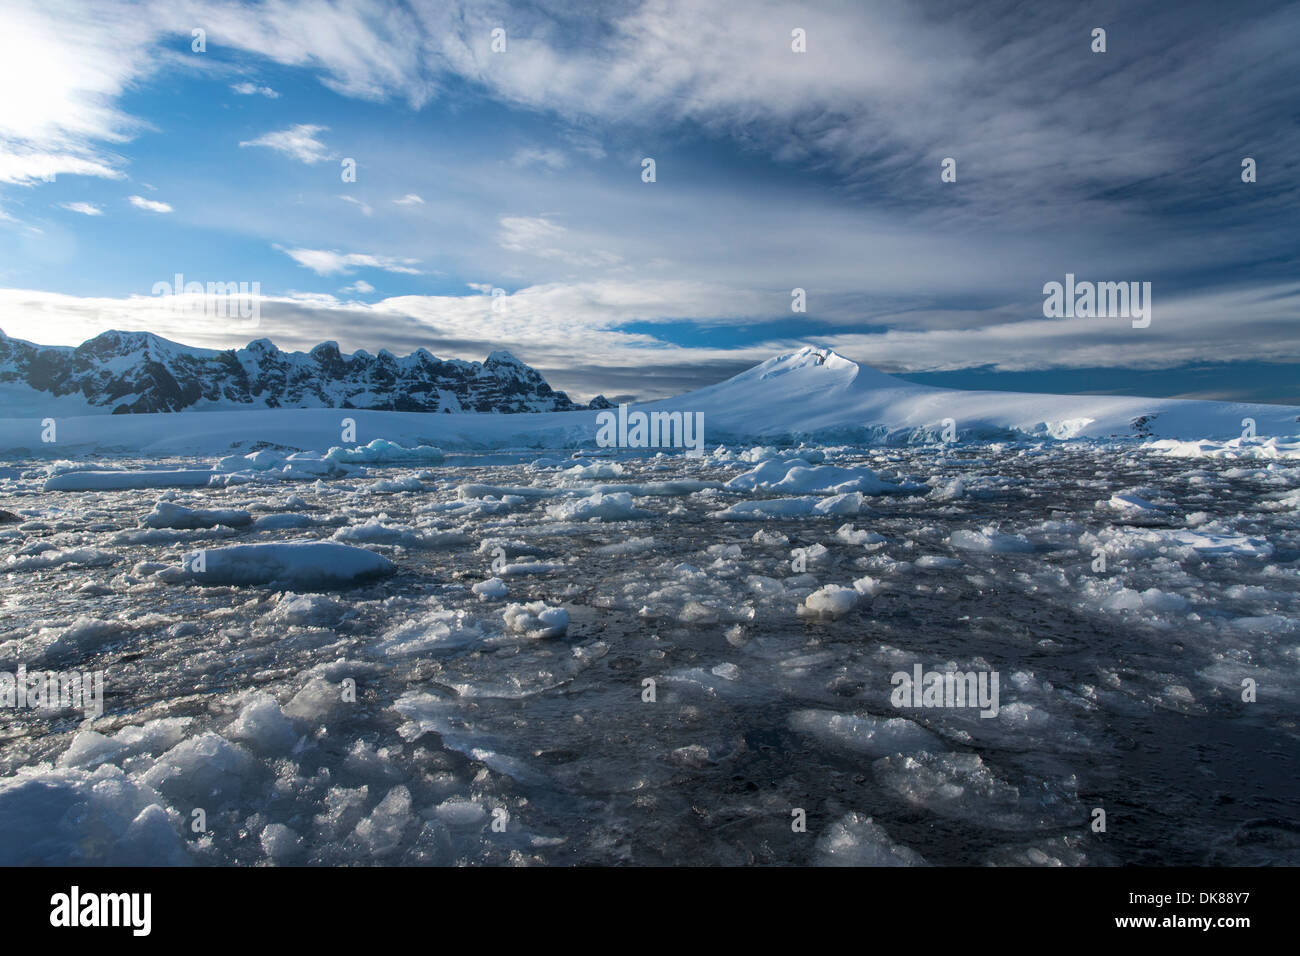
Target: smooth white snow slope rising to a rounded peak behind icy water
(811, 393)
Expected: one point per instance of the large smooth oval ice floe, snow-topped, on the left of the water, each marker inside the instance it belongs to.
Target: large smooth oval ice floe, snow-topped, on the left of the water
(302, 565)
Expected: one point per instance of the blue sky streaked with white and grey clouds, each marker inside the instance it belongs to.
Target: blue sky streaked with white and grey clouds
(501, 198)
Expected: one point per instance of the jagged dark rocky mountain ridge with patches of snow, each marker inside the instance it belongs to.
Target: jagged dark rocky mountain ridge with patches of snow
(142, 373)
